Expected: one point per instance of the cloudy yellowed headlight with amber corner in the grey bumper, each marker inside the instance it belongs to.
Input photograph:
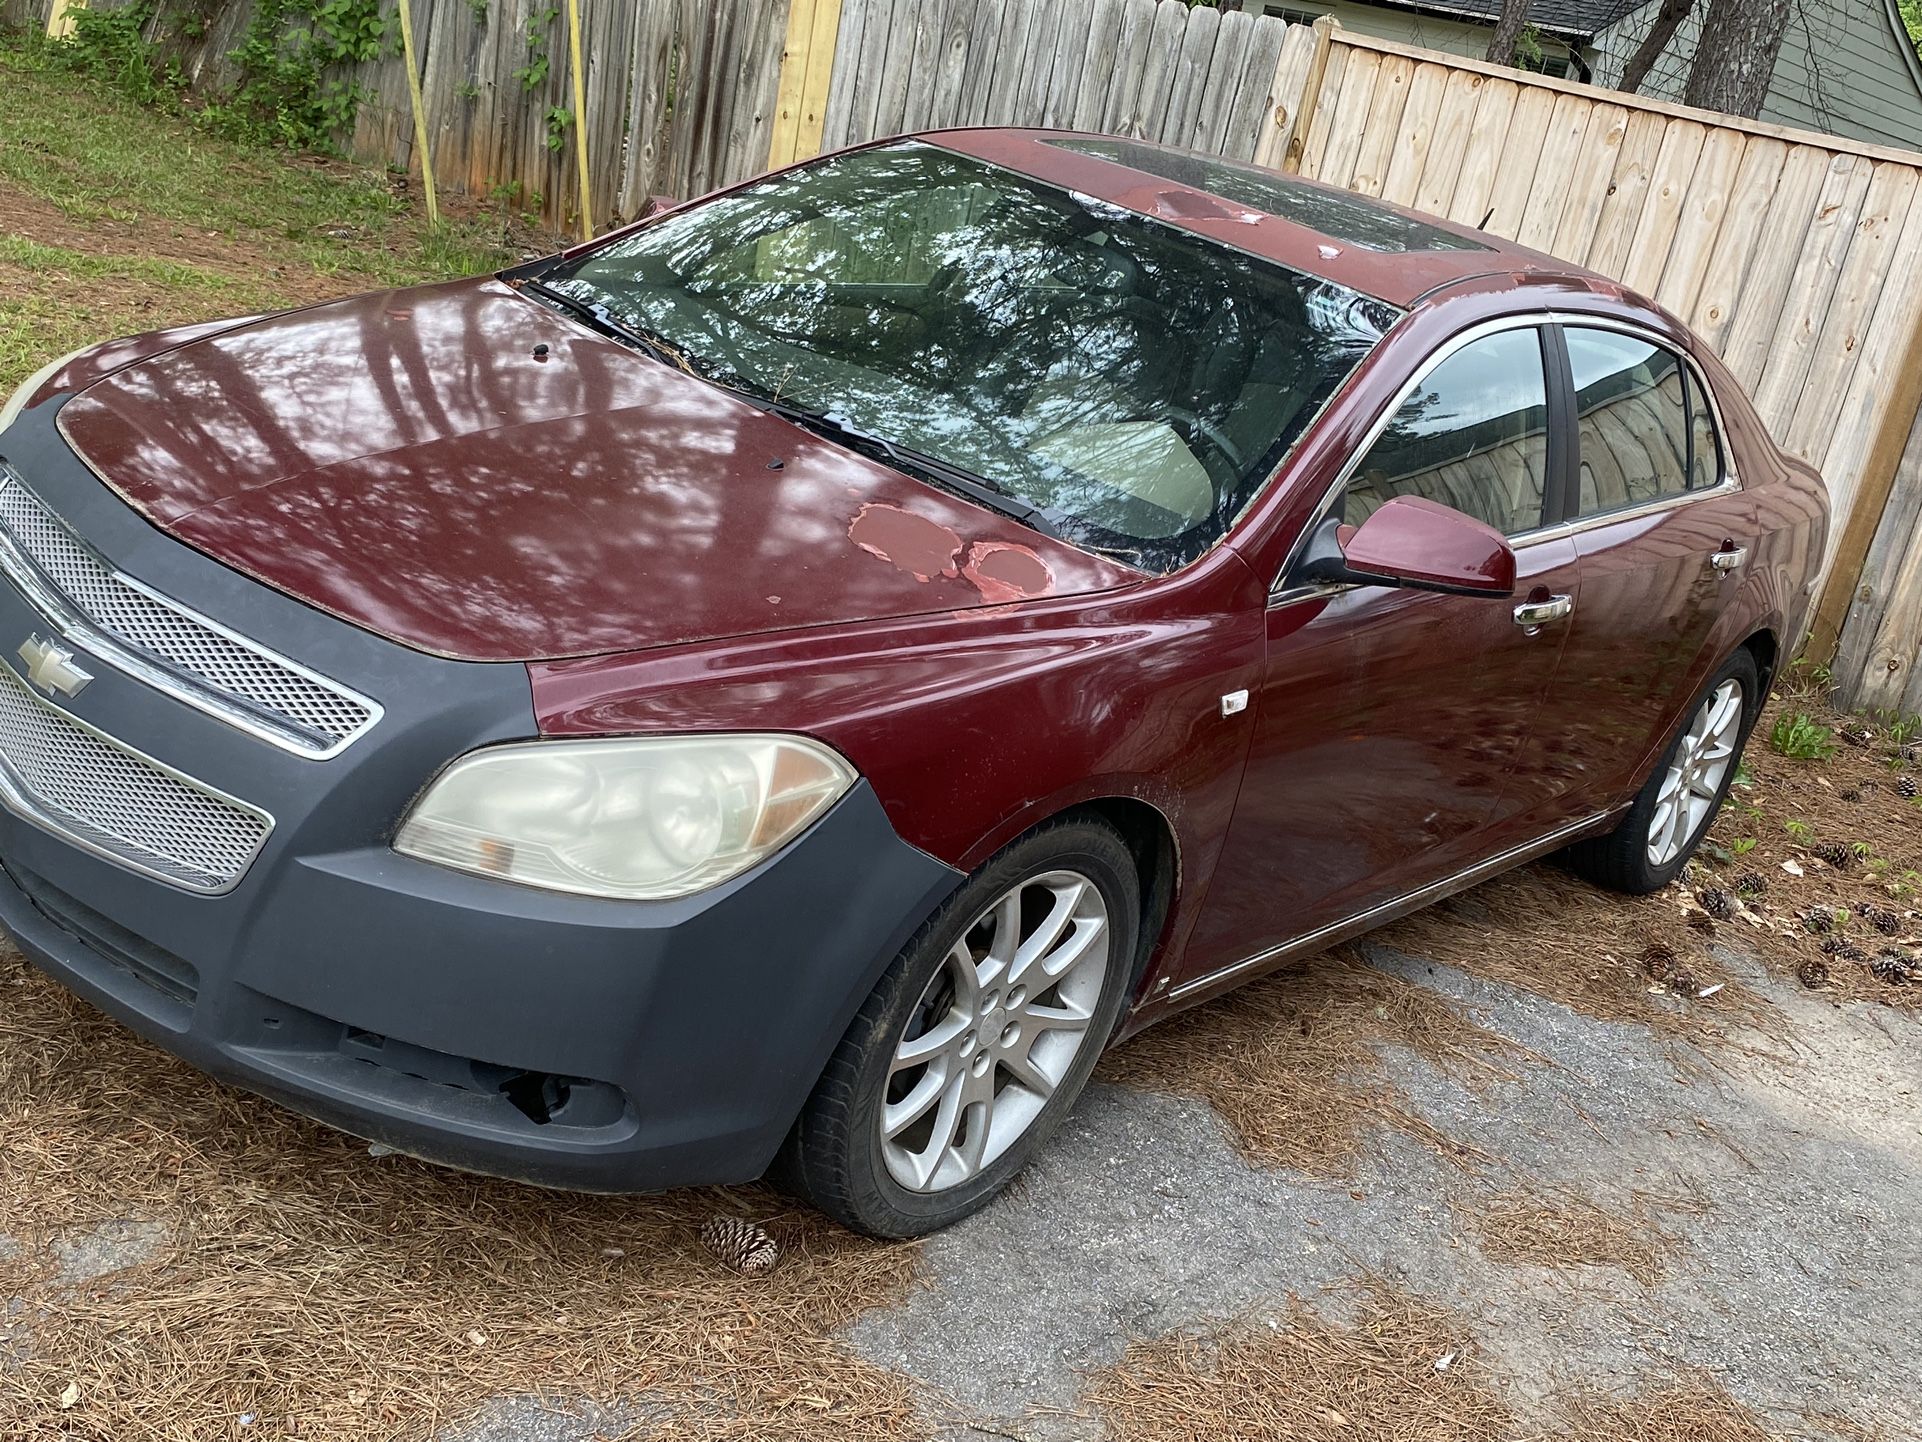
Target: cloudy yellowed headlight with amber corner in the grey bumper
(639, 818)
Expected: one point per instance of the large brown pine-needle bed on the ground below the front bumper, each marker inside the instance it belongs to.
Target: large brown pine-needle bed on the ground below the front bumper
(322, 1293)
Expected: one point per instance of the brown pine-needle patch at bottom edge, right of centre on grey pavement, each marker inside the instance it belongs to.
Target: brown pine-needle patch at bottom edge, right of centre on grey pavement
(1404, 1368)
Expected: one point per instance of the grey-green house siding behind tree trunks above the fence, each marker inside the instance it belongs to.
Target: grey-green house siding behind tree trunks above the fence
(1840, 70)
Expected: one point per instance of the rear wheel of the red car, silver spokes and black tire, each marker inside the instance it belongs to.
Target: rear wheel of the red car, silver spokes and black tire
(1679, 801)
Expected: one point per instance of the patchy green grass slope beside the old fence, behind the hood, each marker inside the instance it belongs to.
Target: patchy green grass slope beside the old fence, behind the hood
(260, 230)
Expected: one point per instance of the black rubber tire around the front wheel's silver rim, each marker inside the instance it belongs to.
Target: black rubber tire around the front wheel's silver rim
(833, 1156)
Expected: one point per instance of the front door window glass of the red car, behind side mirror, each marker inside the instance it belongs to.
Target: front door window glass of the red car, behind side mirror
(1471, 435)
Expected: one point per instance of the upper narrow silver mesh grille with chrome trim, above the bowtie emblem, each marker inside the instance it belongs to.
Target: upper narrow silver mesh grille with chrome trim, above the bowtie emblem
(322, 716)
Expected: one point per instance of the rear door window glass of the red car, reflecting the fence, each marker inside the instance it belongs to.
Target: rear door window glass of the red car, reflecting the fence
(1633, 420)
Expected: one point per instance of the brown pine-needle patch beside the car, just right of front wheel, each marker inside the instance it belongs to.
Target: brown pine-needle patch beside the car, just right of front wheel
(1294, 1068)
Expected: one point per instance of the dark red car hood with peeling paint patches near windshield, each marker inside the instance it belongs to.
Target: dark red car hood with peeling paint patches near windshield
(472, 474)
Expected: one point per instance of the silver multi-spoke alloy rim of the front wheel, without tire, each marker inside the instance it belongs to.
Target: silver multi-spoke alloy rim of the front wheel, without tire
(997, 1030)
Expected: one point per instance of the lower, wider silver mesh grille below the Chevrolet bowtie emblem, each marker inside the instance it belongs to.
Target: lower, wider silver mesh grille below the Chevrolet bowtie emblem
(116, 803)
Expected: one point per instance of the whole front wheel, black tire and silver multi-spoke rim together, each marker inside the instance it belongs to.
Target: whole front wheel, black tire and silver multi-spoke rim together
(977, 1041)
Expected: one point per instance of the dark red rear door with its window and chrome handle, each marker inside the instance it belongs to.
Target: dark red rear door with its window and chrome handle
(1662, 530)
